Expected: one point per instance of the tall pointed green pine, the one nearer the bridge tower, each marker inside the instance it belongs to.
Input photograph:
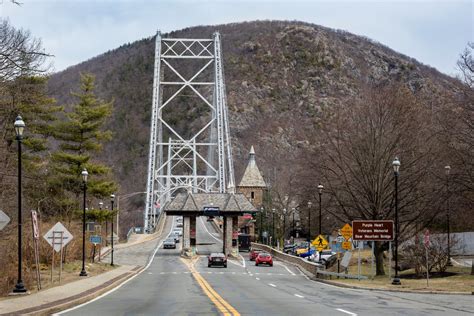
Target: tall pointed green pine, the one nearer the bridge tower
(81, 136)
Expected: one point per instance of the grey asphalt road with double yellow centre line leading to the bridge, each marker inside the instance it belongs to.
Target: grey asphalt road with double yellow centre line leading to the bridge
(173, 286)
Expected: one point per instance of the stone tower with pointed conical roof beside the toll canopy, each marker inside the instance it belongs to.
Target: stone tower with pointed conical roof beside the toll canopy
(253, 187)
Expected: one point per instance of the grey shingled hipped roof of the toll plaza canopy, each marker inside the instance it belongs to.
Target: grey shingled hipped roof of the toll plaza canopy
(196, 204)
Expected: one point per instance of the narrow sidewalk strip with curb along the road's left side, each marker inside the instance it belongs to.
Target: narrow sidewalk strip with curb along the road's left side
(65, 303)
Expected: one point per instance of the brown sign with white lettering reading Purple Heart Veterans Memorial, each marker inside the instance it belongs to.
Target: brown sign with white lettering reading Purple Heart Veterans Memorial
(372, 230)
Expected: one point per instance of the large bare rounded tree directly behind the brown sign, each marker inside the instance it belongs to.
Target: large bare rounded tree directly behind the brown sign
(356, 146)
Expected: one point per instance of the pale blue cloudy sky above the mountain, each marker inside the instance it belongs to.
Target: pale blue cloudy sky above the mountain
(434, 32)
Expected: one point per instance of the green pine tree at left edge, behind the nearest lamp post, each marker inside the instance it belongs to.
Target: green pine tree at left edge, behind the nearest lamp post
(27, 96)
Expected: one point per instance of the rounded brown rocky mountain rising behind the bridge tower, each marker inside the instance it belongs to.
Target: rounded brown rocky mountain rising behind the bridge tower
(279, 75)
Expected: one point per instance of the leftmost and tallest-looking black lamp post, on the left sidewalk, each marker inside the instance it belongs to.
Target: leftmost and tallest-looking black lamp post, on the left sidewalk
(19, 127)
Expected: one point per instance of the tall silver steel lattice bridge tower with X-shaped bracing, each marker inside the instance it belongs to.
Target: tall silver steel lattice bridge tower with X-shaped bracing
(187, 68)
